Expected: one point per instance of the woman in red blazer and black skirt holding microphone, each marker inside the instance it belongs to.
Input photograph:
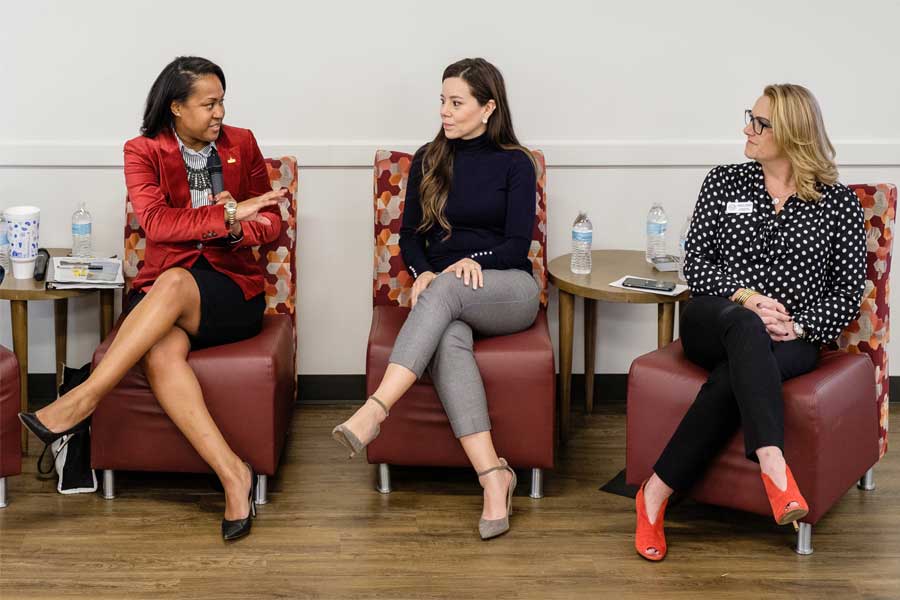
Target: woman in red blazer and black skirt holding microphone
(199, 285)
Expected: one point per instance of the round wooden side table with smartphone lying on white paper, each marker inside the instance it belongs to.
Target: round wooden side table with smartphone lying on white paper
(608, 265)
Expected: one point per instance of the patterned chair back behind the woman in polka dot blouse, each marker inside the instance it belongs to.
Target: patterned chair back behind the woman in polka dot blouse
(870, 333)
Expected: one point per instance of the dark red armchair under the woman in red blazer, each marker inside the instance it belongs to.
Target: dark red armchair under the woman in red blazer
(249, 386)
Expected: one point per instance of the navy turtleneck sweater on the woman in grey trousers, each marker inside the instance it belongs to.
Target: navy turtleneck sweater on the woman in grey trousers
(490, 207)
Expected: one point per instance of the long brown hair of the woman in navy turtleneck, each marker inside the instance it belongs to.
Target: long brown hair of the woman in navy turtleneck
(486, 83)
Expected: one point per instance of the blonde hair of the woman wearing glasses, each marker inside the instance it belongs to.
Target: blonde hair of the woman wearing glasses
(800, 131)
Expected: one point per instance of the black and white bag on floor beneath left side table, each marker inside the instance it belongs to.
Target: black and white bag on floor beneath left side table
(72, 453)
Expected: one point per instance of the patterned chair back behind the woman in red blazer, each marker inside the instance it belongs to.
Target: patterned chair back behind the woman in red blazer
(277, 258)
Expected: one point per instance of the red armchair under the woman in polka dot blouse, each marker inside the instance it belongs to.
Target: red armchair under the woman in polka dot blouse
(835, 416)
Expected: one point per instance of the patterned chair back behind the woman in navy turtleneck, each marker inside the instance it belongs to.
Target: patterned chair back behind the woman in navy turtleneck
(392, 282)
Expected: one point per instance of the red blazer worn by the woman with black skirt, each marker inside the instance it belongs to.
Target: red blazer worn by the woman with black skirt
(158, 189)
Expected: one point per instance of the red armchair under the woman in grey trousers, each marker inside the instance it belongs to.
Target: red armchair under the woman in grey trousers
(518, 369)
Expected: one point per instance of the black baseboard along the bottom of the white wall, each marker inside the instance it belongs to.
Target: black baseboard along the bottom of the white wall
(610, 388)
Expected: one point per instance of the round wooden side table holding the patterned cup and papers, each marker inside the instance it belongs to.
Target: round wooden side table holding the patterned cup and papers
(20, 292)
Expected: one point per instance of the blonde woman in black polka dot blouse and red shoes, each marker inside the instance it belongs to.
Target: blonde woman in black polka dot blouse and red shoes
(776, 264)
